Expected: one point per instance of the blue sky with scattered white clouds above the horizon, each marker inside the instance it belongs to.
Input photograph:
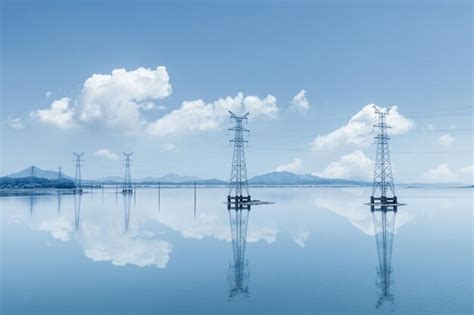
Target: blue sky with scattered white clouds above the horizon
(158, 78)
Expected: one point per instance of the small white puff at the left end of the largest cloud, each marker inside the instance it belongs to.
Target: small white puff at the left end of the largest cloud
(60, 114)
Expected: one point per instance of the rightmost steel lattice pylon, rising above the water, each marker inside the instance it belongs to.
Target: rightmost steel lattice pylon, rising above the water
(383, 177)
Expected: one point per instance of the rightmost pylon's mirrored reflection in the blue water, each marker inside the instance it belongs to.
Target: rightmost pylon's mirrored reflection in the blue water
(384, 229)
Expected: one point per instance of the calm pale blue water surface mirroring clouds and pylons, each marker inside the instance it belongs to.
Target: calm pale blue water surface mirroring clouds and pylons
(315, 251)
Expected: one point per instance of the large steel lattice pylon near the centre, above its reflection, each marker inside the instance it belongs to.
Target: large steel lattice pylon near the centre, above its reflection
(238, 186)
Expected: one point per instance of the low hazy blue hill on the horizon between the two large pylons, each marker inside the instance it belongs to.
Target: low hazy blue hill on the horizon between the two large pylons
(287, 178)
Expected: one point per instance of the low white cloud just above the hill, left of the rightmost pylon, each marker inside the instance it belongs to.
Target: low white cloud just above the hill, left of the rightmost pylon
(354, 165)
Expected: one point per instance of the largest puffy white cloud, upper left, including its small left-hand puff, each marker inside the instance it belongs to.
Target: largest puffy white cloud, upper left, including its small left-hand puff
(114, 100)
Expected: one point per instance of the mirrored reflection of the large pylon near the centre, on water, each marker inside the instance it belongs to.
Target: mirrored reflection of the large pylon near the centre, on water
(238, 269)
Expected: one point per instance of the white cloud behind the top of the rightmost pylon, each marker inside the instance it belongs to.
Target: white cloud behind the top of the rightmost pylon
(358, 132)
